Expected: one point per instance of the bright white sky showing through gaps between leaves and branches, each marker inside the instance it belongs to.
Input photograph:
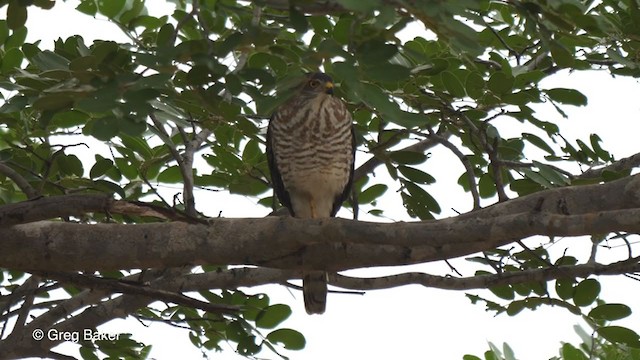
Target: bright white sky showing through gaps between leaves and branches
(410, 322)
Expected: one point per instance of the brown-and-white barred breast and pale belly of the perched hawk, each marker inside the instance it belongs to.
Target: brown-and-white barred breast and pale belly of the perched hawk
(313, 147)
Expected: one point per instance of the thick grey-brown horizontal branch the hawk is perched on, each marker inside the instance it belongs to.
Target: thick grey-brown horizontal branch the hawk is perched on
(331, 244)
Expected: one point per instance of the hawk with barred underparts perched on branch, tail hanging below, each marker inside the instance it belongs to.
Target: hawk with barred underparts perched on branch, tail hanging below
(311, 151)
